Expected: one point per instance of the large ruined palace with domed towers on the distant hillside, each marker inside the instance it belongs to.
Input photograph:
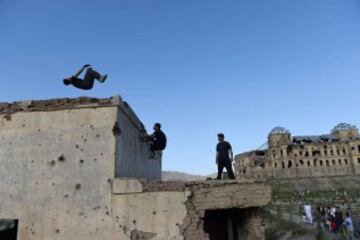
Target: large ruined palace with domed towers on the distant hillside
(334, 154)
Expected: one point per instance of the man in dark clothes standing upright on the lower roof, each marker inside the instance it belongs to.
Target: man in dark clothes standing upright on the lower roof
(224, 157)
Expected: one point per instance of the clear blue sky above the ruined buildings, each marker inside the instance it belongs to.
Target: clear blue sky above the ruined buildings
(199, 67)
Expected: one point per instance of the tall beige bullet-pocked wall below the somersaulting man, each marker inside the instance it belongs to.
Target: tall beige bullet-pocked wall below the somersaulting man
(57, 166)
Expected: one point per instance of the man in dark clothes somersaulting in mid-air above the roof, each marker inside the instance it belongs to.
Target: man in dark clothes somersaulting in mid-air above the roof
(88, 82)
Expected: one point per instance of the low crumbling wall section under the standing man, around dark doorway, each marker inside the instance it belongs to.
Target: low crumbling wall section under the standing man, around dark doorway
(176, 210)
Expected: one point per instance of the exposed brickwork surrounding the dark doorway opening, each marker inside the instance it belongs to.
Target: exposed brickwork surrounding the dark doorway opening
(224, 195)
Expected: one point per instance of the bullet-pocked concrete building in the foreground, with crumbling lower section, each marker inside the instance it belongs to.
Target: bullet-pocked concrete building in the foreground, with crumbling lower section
(76, 169)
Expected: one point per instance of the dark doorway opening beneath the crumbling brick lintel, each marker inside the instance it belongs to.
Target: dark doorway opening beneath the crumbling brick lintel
(228, 224)
